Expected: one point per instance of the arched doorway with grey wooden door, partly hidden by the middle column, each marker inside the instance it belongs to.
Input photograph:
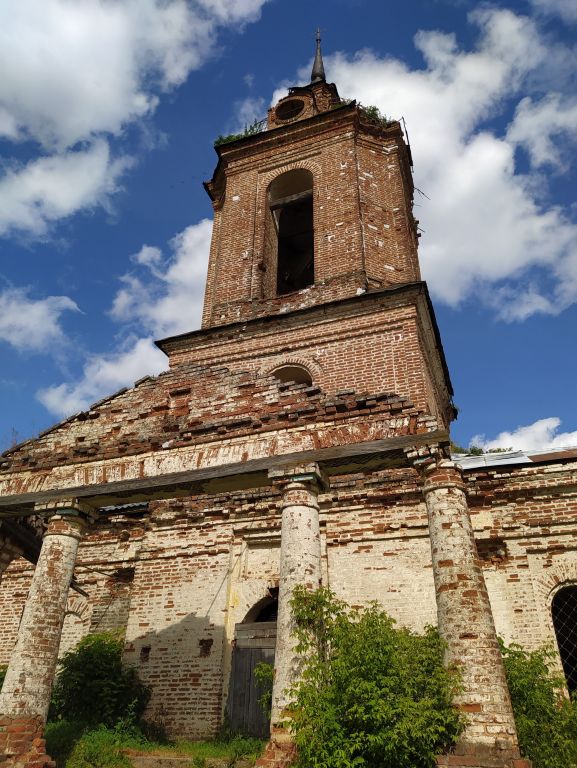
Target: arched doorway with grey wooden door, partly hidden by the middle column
(254, 642)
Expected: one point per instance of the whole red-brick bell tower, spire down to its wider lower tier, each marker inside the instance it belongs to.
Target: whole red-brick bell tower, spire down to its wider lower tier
(313, 273)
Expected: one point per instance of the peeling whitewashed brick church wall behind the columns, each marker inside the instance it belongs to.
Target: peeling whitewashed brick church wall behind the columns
(201, 564)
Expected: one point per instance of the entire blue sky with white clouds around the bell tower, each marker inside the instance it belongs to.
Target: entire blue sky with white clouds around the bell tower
(108, 113)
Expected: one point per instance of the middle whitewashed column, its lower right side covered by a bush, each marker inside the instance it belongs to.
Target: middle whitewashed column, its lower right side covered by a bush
(300, 563)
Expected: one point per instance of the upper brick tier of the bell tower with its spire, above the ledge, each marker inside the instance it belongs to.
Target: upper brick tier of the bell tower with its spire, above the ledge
(316, 207)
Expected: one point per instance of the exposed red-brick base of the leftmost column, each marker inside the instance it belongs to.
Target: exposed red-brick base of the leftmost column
(22, 744)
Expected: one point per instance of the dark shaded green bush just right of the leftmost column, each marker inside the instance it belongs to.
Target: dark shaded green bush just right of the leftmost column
(94, 687)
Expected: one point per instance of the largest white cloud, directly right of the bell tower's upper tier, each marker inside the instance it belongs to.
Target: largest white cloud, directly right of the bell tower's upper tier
(489, 230)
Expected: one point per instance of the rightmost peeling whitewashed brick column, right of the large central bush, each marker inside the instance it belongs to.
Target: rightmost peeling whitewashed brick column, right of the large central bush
(466, 624)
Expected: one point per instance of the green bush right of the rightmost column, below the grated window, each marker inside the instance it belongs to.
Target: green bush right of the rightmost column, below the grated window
(546, 719)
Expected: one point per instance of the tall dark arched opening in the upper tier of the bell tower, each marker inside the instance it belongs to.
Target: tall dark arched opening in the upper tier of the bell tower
(290, 198)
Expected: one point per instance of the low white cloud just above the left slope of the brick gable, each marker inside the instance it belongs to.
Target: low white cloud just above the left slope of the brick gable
(103, 375)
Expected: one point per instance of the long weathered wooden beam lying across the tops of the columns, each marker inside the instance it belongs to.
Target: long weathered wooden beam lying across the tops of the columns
(339, 460)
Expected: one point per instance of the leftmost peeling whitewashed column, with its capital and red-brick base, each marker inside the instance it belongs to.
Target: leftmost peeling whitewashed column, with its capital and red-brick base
(26, 691)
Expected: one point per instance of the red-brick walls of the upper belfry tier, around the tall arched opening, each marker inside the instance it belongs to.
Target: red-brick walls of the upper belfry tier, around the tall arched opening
(364, 232)
